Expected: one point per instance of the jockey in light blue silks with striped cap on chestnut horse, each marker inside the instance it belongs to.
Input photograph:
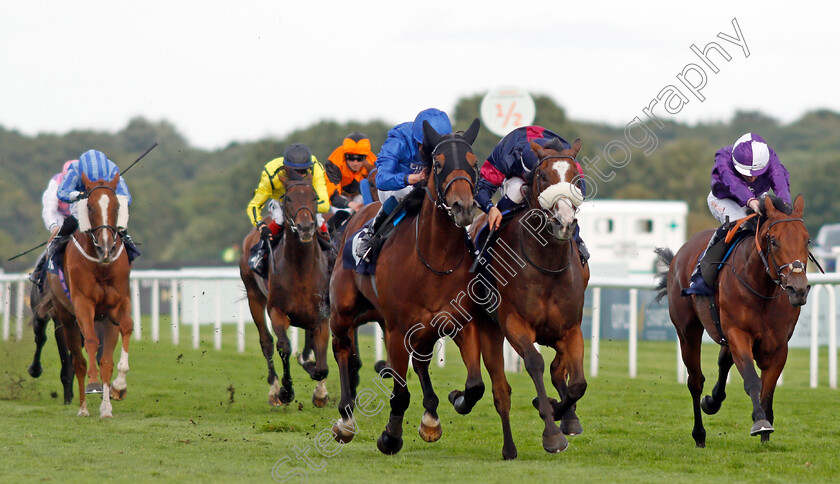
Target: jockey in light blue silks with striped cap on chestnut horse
(96, 166)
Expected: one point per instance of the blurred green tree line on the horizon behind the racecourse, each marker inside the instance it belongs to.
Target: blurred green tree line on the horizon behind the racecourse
(189, 203)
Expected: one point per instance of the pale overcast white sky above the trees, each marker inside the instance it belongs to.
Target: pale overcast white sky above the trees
(240, 71)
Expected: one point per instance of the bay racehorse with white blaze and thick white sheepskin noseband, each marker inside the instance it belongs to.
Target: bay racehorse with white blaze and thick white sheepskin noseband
(542, 301)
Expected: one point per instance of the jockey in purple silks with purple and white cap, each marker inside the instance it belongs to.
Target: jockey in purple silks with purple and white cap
(741, 175)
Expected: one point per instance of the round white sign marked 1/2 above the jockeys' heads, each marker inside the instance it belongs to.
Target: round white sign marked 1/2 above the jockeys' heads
(507, 108)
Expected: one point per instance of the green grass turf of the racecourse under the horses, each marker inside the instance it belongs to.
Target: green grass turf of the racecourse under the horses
(202, 416)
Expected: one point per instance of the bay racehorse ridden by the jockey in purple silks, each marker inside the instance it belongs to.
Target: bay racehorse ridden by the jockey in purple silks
(759, 295)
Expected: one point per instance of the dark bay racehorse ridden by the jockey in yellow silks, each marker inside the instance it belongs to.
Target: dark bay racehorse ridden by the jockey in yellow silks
(295, 293)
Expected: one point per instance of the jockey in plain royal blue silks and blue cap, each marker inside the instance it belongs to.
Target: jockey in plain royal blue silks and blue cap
(400, 165)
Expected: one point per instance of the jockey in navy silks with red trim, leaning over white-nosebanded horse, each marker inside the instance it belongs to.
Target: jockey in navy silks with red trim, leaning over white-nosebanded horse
(510, 163)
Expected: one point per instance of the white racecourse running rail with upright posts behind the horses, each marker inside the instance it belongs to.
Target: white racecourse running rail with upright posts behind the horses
(180, 280)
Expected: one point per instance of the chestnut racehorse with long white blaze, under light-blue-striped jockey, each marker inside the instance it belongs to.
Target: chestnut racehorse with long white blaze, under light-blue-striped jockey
(96, 271)
